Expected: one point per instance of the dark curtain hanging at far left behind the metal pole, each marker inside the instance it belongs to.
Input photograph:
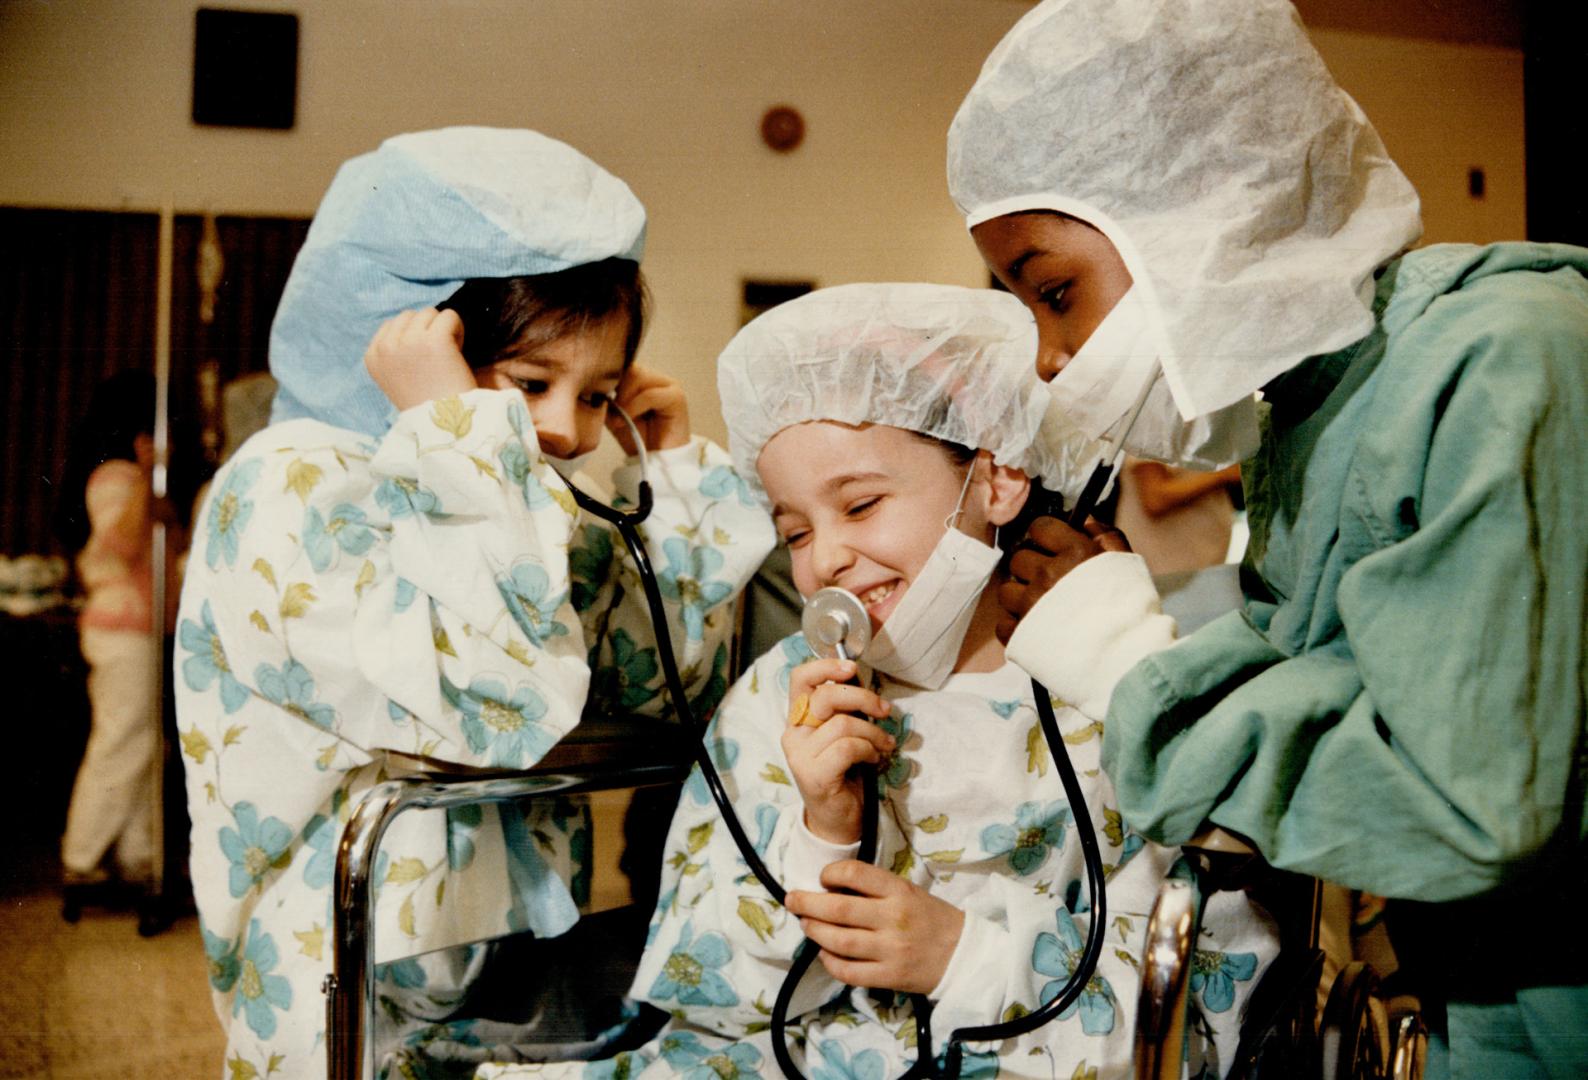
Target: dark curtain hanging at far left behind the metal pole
(77, 306)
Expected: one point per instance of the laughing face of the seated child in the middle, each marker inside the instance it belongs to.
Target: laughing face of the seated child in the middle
(863, 507)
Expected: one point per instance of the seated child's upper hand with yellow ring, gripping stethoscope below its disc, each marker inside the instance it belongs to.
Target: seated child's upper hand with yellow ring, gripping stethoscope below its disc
(827, 738)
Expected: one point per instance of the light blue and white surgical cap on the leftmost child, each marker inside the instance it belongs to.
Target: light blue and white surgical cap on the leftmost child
(407, 225)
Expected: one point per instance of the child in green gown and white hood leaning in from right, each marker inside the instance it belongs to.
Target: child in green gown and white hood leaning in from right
(1179, 191)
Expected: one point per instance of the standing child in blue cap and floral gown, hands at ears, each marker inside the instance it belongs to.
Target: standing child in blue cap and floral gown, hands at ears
(395, 573)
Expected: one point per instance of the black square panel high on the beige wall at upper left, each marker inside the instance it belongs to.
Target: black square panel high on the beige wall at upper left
(245, 69)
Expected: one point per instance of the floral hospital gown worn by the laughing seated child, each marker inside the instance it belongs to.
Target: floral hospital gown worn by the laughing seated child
(974, 812)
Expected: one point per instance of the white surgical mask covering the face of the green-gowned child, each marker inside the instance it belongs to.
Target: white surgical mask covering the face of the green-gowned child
(1106, 376)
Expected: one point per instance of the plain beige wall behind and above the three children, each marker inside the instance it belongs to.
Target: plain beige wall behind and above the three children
(94, 106)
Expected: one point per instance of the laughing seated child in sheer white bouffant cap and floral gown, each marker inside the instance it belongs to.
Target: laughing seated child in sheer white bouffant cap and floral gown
(895, 431)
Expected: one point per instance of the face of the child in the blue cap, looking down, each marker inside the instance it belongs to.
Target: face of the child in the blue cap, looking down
(568, 382)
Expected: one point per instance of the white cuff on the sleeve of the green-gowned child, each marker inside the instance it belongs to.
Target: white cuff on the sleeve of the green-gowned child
(1092, 628)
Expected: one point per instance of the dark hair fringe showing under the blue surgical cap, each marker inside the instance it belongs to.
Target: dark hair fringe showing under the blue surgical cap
(504, 314)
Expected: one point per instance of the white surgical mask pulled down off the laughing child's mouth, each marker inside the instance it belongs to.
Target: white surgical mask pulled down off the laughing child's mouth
(922, 639)
